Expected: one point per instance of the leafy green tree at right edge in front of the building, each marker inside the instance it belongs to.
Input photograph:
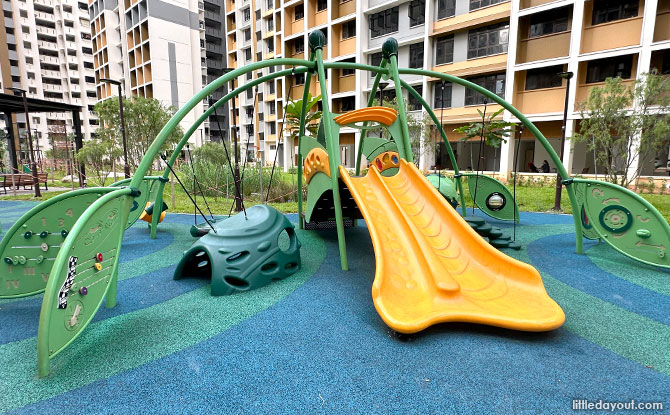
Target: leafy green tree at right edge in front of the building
(623, 123)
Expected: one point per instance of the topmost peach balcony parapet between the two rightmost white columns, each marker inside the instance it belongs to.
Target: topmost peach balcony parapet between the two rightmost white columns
(612, 35)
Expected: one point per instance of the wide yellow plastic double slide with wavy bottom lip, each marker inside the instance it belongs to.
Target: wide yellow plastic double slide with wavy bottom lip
(432, 267)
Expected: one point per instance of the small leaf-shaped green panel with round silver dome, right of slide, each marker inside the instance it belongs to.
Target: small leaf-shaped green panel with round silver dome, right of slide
(493, 197)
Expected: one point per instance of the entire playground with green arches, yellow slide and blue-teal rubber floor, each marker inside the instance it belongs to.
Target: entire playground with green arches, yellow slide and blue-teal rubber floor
(385, 293)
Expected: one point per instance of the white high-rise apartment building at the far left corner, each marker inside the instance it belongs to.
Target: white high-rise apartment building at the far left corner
(46, 50)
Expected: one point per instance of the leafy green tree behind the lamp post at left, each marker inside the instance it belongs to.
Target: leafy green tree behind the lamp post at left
(144, 119)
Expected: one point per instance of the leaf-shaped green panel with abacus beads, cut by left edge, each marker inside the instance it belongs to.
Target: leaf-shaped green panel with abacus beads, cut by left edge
(30, 246)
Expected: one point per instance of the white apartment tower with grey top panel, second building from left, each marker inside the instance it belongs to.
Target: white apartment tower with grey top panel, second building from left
(162, 50)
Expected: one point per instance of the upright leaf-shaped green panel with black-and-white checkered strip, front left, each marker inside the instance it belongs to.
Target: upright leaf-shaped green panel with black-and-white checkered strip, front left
(83, 272)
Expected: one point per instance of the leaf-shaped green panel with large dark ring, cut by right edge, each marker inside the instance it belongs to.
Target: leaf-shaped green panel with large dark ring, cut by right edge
(627, 222)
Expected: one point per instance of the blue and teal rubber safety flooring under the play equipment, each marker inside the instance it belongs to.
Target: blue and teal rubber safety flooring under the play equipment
(313, 342)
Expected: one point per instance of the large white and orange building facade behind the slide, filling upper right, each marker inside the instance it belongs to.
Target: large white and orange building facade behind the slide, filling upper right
(513, 48)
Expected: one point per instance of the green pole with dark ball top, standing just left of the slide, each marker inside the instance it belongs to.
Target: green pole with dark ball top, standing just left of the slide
(316, 42)
